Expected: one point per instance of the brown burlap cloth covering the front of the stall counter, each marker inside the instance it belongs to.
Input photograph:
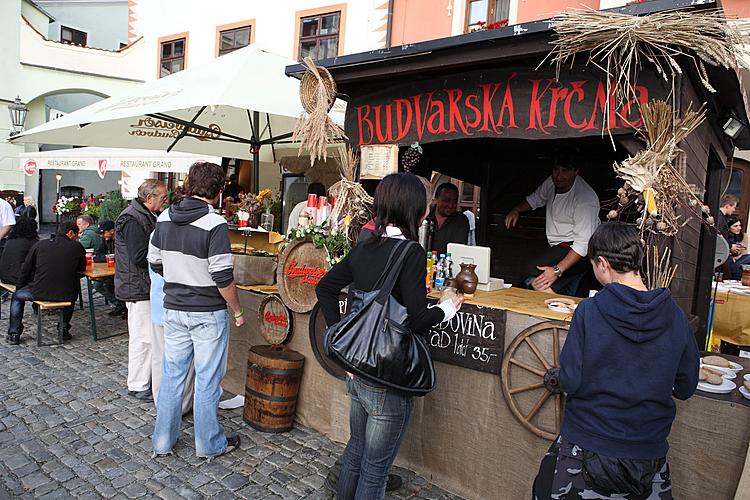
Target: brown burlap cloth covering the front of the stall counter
(463, 437)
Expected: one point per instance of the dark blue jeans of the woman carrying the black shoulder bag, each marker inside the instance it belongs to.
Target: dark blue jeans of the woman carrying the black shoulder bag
(378, 419)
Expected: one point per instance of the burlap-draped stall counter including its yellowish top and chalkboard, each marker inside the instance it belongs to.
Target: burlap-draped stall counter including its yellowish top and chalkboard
(464, 436)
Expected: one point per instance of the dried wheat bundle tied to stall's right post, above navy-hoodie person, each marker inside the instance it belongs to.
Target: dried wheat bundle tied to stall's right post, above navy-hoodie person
(668, 201)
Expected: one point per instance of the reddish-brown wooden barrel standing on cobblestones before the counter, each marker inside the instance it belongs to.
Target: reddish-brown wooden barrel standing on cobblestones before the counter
(274, 373)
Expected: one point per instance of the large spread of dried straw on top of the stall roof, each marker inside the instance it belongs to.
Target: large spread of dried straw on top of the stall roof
(620, 44)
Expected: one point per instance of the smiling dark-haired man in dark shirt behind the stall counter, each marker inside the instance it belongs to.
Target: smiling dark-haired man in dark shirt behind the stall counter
(451, 226)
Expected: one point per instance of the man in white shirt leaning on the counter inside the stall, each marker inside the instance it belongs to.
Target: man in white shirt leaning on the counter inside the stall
(572, 216)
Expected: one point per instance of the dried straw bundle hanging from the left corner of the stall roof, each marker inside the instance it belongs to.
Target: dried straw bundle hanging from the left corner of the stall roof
(316, 130)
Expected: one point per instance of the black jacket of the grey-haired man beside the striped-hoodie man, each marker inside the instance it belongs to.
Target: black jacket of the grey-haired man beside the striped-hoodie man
(132, 230)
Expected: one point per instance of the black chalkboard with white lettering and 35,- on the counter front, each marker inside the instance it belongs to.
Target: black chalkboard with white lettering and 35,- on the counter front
(474, 339)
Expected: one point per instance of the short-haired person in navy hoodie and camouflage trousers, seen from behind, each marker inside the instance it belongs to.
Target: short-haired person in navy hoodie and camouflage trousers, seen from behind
(628, 353)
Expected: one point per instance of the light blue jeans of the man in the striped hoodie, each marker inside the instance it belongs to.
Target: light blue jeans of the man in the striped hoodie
(200, 338)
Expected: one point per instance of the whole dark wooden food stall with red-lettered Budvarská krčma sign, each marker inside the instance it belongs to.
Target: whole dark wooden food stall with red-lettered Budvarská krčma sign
(487, 110)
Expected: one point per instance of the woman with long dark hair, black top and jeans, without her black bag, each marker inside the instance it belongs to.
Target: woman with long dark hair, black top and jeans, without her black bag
(379, 415)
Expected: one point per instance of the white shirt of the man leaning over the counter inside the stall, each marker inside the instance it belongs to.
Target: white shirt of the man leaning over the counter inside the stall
(571, 216)
